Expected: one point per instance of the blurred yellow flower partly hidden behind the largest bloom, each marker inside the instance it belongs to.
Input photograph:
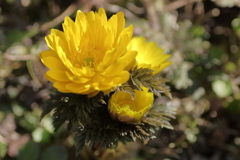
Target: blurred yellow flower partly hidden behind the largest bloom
(149, 55)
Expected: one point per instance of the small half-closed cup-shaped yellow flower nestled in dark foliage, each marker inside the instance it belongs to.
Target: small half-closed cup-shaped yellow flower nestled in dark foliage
(124, 108)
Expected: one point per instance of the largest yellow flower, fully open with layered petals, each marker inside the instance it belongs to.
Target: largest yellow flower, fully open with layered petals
(90, 55)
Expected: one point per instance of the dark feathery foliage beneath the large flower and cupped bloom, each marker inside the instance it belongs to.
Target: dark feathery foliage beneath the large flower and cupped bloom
(95, 127)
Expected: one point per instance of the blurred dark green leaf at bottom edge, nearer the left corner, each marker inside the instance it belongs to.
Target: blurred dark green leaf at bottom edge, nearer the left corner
(30, 151)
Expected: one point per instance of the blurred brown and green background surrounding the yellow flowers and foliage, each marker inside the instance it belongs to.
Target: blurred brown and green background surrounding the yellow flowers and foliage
(203, 37)
